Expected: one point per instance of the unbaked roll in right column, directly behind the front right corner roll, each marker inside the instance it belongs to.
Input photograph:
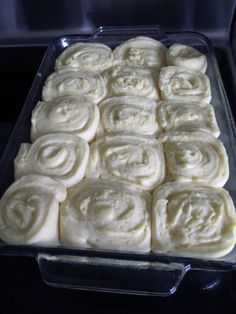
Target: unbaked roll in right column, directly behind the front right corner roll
(195, 157)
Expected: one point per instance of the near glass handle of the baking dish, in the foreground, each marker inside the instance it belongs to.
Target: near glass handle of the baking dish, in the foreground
(111, 275)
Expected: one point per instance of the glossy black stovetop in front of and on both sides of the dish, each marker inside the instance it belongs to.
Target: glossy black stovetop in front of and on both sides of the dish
(22, 289)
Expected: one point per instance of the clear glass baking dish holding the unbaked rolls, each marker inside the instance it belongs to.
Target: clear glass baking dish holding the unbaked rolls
(101, 270)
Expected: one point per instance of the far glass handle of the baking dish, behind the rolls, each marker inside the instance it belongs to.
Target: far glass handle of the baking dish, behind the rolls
(149, 30)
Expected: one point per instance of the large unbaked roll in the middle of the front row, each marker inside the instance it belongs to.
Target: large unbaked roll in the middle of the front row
(104, 214)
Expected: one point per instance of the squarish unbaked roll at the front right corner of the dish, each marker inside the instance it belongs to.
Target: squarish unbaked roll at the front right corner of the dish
(193, 220)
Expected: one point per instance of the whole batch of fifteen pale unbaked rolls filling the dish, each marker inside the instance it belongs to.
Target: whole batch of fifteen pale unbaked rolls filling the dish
(124, 155)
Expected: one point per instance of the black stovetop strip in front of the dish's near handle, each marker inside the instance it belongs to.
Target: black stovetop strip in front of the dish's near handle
(23, 291)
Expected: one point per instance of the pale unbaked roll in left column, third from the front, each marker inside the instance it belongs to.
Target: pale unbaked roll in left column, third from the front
(72, 114)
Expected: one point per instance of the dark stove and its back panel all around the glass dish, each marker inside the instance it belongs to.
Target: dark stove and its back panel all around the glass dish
(26, 27)
